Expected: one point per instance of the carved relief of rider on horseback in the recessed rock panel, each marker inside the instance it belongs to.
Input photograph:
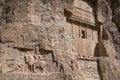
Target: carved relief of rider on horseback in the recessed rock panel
(35, 61)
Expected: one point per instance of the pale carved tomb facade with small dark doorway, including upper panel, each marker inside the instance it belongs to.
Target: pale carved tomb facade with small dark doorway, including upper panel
(80, 24)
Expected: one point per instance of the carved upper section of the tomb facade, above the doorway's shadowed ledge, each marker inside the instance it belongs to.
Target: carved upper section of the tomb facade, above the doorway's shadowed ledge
(81, 11)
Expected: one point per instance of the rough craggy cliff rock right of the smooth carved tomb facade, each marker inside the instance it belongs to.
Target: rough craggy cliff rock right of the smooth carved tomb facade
(110, 66)
